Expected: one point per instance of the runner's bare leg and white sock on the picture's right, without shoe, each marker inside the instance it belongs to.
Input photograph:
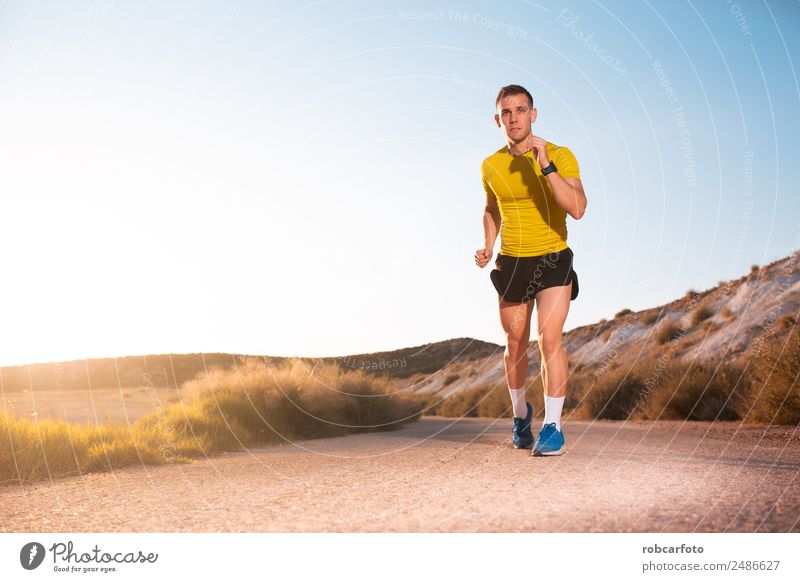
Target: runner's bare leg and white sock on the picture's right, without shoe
(552, 306)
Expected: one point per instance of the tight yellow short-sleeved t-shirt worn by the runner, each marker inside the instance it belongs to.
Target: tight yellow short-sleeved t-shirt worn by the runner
(532, 222)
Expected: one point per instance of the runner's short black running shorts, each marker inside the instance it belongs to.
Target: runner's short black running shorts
(516, 278)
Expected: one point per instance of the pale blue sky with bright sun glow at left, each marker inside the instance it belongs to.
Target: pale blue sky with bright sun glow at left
(303, 178)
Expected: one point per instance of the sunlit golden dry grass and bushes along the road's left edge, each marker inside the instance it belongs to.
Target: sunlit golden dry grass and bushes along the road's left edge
(226, 410)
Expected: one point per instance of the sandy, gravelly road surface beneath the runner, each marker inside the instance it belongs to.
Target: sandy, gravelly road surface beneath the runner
(447, 475)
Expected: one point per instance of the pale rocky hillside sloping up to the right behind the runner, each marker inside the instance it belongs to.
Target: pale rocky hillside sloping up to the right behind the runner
(728, 322)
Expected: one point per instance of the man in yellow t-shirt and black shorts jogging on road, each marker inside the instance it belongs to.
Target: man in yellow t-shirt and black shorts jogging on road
(531, 185)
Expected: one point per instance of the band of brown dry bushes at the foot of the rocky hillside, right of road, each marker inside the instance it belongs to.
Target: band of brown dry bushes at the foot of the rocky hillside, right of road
(661, 389)
